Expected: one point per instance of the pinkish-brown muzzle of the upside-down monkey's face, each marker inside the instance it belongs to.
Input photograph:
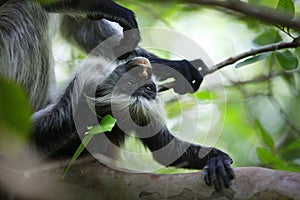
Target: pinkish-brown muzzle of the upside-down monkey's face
(141, 66)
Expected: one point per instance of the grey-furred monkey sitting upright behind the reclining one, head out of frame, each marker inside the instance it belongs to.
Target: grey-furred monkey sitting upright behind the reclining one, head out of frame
(25, 42)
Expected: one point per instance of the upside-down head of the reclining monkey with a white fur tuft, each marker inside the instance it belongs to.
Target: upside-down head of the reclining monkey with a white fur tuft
(132, 93)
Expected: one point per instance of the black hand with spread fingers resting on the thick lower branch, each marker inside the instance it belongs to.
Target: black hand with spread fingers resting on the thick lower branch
(218, 166)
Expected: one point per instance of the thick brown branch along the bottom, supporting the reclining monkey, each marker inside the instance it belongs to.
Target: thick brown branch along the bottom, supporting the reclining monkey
(91, 180)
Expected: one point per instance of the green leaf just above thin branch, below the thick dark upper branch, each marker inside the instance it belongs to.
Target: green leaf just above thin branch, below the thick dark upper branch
(269, 37)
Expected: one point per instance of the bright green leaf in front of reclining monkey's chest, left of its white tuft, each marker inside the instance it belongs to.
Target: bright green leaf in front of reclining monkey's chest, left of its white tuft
(106, 125)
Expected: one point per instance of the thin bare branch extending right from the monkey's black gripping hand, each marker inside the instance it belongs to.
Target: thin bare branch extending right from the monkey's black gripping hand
(272, 47)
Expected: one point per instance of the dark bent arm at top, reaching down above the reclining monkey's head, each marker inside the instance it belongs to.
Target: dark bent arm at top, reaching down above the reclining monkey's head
(101, 9)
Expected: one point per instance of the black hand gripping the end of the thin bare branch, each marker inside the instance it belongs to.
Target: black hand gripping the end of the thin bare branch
(187, 74)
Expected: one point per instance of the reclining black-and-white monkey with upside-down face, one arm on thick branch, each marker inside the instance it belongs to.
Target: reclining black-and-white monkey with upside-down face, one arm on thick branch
(129, 94)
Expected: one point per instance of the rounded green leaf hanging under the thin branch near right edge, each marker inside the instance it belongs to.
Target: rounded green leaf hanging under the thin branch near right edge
(287, 60)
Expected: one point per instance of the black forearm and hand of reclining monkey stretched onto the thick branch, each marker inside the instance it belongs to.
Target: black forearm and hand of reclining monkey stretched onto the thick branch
(170, 151)
